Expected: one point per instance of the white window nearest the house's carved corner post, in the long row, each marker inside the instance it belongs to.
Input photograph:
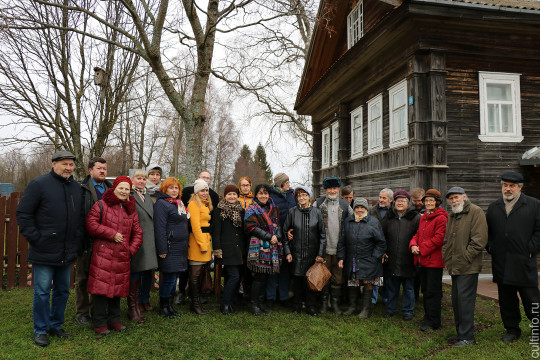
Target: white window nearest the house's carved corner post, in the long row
(397, 95)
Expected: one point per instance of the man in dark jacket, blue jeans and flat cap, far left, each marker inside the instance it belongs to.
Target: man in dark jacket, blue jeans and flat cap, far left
(48, 216)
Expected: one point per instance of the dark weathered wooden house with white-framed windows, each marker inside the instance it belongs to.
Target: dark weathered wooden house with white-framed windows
(424, 93)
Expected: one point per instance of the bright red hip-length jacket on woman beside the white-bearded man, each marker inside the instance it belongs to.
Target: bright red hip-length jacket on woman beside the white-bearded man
(429, 238)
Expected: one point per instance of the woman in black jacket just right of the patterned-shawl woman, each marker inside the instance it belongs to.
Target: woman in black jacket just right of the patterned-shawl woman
(306, 247)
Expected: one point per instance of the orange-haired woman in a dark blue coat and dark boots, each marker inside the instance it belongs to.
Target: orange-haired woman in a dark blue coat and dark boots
(172, 236)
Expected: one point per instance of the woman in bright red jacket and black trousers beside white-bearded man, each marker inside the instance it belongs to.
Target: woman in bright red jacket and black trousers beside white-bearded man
(426, 246)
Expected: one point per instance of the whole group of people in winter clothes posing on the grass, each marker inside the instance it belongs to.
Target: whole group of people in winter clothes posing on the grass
(118, 233)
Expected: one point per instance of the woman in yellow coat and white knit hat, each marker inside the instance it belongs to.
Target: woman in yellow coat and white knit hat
(200, 246)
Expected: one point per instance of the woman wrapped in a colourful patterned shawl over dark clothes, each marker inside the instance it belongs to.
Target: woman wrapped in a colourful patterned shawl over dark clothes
(265, 253)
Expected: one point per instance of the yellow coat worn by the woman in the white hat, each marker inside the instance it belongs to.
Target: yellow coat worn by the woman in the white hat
(199, 238)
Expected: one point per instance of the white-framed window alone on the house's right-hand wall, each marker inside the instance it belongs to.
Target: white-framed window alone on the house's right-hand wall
(500, 107)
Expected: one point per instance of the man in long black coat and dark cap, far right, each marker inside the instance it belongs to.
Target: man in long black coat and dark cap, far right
(513, 242)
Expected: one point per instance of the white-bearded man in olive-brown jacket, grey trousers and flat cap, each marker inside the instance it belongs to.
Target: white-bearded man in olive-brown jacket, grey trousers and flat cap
(465, 238)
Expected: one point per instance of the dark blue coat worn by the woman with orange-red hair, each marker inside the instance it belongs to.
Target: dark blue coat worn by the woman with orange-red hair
(171, 235)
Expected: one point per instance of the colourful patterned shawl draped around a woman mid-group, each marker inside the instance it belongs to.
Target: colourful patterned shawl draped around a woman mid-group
(263, 257)
